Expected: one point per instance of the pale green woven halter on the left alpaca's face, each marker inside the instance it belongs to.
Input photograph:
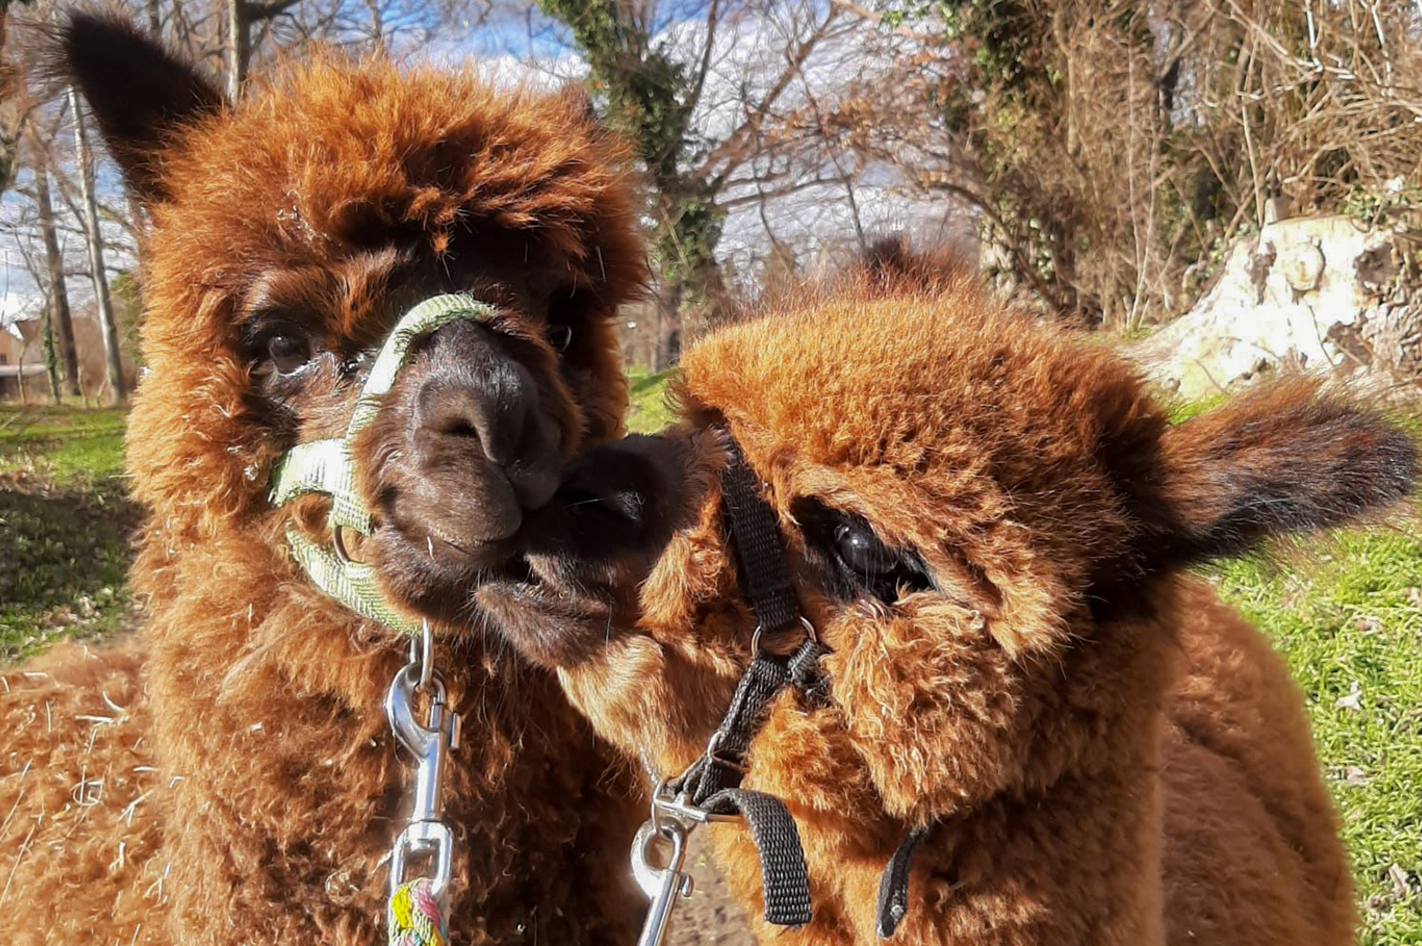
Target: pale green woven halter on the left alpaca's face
(326, 467)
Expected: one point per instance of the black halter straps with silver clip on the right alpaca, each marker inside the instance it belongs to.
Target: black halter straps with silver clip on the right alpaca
(710, 790)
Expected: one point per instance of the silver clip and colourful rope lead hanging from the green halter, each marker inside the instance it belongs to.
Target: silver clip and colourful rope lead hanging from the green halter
(419, 908)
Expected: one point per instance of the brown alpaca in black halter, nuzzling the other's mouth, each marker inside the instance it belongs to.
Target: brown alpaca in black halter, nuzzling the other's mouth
(988, 521)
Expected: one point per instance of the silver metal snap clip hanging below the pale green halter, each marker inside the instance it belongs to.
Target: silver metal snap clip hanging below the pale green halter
(430, 743)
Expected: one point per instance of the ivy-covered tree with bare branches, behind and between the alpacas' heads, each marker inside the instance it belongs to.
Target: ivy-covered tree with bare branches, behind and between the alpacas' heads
(651, 89)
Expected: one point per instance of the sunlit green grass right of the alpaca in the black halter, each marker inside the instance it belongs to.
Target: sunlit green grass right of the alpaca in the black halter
(1350, 625)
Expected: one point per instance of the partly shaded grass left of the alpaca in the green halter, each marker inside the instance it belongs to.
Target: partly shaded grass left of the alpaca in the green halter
(65, 527)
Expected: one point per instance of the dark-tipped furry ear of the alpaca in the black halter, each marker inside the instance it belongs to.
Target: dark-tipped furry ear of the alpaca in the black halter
(1283, 459)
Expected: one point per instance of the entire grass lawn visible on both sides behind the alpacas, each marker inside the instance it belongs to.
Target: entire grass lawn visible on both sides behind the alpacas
(1349, 618)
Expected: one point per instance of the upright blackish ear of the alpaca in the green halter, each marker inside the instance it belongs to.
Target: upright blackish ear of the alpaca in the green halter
(140, 93)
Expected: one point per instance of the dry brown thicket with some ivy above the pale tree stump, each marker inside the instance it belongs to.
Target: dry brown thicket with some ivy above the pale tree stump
(1113, 150)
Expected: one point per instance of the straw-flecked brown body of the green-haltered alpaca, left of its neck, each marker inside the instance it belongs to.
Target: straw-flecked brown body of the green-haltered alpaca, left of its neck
(85, 800)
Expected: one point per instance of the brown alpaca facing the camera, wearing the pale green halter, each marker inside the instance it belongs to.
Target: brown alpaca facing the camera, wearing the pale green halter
(251, 786)
